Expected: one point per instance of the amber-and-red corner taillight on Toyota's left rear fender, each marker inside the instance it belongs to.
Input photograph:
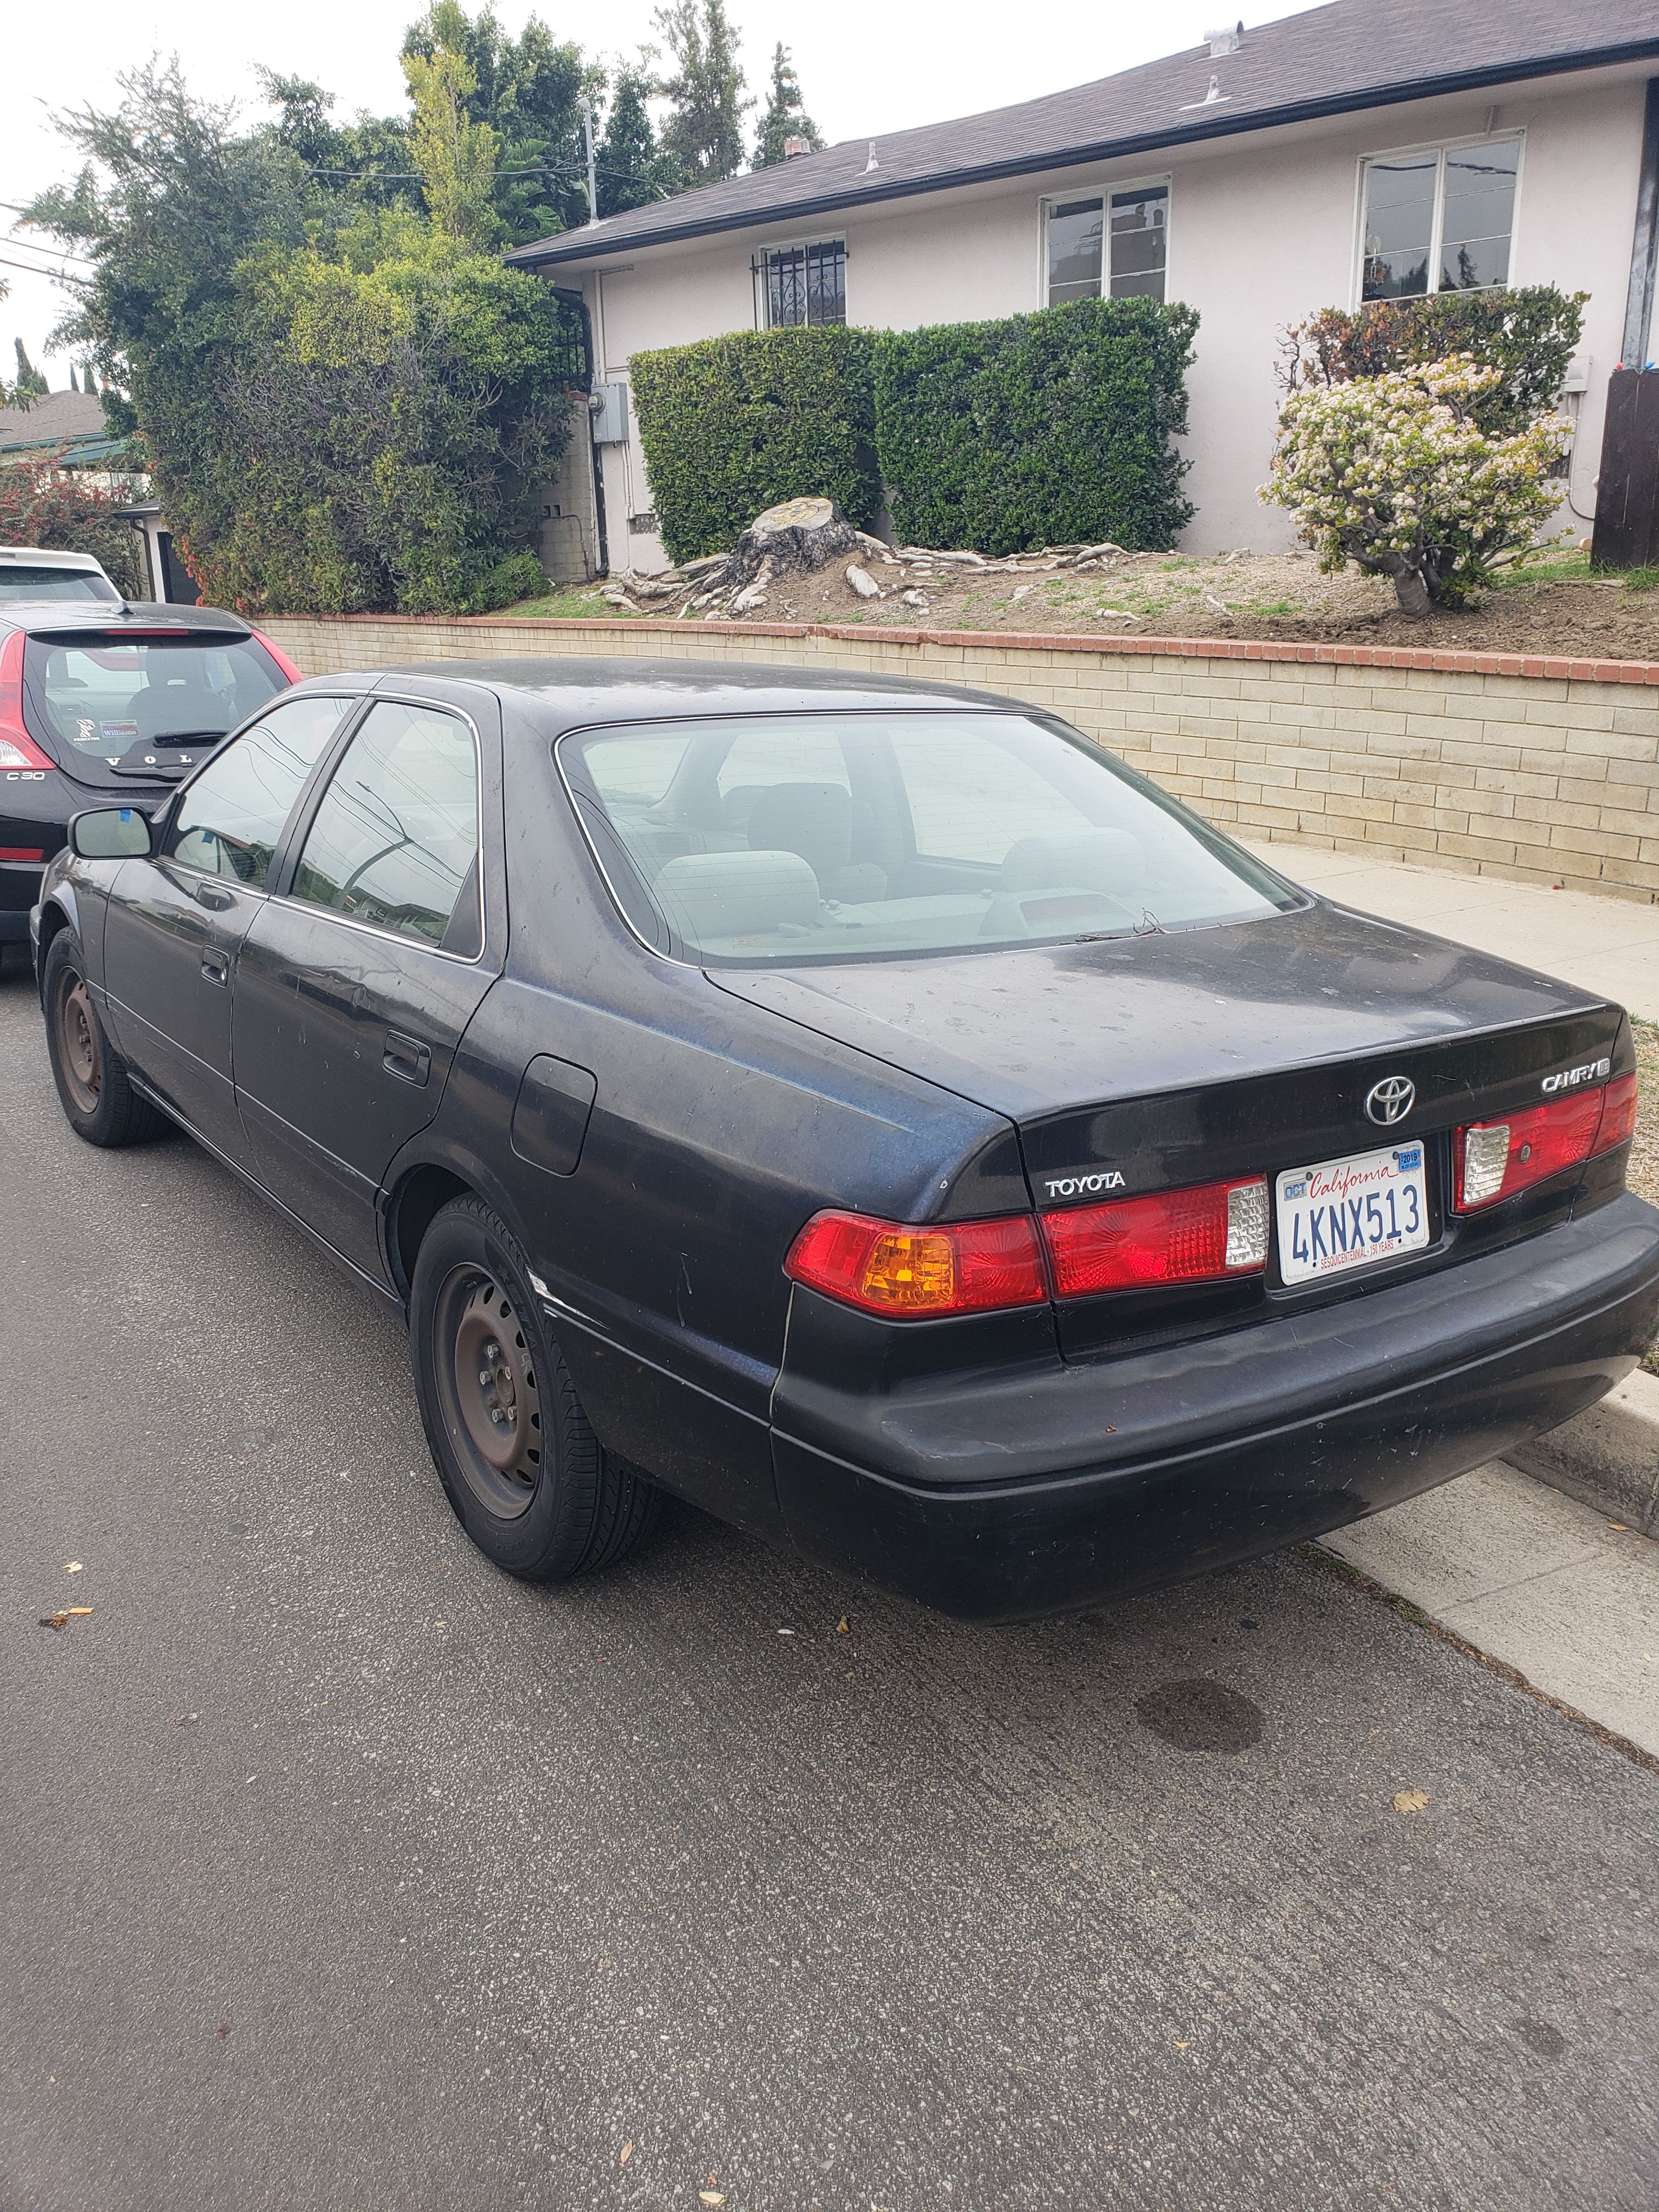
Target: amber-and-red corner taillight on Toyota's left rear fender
(904, 1271)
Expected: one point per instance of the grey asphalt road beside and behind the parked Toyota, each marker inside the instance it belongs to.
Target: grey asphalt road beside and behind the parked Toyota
(337, 1870)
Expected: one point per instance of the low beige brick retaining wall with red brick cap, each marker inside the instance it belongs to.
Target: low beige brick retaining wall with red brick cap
(1536, 769)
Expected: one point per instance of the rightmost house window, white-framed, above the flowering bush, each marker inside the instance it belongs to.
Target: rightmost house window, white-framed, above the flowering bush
(1439, 220)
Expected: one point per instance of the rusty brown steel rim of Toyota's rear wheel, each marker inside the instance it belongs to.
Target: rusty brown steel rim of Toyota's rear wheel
(488, 1381)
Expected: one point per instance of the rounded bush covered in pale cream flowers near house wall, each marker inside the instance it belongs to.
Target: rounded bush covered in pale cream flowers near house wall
(1397, 474)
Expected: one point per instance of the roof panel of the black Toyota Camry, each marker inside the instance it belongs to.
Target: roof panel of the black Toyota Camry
(583, 691)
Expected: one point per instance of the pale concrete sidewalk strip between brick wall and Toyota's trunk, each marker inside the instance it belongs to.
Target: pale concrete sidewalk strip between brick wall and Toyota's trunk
(1607, 946)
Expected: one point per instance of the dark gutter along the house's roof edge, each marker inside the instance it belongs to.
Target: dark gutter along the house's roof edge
(565, 249)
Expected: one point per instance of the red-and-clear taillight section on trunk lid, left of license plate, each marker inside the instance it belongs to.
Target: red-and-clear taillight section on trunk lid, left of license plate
(1196, 1235)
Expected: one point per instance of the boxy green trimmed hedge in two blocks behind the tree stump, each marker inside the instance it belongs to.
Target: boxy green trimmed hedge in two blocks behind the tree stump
(1045, 428)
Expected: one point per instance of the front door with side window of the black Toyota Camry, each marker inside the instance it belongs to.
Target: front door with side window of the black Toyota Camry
(176, 921)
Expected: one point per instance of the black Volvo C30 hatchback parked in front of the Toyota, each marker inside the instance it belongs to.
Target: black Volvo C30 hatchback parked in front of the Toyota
(105, 696)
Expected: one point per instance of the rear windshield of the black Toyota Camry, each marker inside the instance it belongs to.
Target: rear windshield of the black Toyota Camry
(842, 837)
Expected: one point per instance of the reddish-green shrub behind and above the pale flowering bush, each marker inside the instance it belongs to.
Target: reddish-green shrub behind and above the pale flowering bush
(1527, 337)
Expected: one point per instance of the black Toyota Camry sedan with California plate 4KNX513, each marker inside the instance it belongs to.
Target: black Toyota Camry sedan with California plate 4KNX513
(862, 1109)
